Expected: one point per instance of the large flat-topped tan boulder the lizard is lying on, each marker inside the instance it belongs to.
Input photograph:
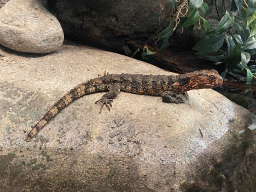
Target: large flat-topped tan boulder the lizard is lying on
(141, 145)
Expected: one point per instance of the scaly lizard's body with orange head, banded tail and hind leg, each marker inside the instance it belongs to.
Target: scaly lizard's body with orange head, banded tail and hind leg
(154, 85)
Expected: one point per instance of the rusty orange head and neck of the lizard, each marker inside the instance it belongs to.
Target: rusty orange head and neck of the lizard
(197, 80)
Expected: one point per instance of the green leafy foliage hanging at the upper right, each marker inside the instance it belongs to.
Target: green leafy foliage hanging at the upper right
(231, 43)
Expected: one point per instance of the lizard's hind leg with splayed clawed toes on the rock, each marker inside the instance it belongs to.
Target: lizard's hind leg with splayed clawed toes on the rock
(107, 98)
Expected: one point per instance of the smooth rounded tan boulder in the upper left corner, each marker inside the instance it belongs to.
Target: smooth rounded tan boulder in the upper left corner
(26, 26)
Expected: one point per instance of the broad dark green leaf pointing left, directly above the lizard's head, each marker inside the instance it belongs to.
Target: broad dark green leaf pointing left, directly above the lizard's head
(212, 44)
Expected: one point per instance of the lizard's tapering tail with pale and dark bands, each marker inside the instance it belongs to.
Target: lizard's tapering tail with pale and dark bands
(92, 86)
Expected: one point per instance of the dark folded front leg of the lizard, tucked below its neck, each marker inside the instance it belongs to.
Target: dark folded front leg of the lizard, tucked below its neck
(172, 97)
